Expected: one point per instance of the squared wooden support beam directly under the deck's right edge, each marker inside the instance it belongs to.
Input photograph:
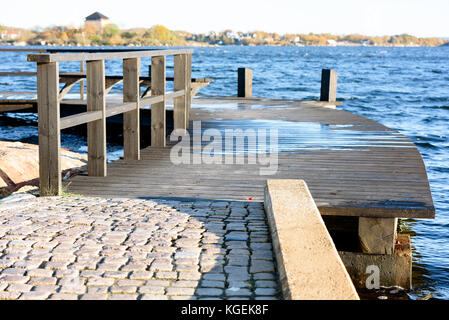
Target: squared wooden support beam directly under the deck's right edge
(377, 235)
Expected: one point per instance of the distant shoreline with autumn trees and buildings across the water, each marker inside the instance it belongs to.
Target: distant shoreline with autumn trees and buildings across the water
(158, 35)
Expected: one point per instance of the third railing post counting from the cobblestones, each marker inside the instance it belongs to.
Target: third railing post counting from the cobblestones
(131, 119)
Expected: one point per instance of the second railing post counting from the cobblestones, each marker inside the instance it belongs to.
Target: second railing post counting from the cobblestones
(96, 130)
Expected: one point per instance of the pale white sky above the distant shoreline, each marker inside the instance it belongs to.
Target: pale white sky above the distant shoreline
(422, 18)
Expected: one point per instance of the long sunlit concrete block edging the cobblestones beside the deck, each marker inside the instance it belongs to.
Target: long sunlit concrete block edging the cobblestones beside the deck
(308, 262)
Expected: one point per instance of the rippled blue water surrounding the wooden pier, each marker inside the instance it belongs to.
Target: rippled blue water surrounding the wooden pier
(403, 88)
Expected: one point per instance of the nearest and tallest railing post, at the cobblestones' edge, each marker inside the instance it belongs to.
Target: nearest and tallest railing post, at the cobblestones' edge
(49, 129)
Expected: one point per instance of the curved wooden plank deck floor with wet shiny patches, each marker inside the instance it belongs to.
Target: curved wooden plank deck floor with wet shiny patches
(353, 166)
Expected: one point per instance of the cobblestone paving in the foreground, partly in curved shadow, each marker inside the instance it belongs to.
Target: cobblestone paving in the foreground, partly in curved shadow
(95, 248)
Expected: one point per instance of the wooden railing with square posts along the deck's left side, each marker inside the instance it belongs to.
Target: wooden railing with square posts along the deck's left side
(50, 124)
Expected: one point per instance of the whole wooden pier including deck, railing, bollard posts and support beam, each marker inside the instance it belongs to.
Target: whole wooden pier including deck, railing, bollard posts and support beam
(353, 166)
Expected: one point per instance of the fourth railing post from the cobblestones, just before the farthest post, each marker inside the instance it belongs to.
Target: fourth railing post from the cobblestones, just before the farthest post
(158, 109)
